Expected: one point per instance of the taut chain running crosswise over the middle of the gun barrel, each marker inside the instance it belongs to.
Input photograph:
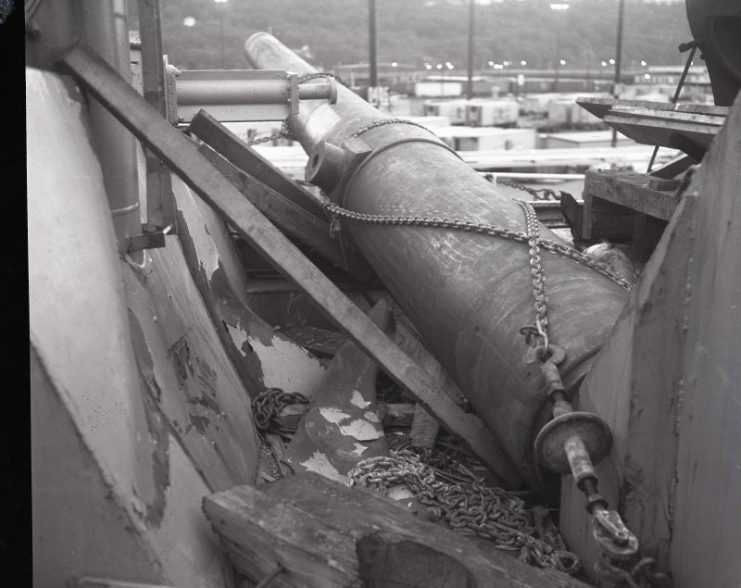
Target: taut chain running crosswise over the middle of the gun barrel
(482, 228)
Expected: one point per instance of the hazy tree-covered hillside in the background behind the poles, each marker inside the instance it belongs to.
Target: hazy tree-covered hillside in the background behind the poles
(415, 31)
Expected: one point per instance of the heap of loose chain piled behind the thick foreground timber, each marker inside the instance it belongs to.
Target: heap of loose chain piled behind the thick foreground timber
(470, 507)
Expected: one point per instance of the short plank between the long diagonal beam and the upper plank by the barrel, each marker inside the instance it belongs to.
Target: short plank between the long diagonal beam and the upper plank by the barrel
(295, 221)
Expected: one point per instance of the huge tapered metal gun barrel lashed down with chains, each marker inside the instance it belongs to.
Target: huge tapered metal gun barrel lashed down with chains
(468, 294)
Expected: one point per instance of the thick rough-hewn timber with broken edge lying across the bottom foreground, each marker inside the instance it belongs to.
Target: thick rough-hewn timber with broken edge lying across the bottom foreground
(324, 534)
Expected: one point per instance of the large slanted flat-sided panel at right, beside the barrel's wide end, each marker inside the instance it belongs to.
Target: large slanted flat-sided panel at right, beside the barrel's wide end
(667, 384)
